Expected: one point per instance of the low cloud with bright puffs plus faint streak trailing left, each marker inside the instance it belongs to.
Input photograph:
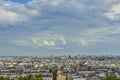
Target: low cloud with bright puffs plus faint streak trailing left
(48, 41)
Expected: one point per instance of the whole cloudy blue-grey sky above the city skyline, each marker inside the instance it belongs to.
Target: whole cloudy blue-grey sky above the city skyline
(59, 27)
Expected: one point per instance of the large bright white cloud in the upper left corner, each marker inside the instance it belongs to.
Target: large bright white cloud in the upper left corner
(13, 13)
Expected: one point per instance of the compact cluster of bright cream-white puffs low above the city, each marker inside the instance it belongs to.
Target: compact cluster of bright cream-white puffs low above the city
(49, 40)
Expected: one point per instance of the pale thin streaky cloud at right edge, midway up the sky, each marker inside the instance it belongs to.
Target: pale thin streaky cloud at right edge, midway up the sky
(95, 36)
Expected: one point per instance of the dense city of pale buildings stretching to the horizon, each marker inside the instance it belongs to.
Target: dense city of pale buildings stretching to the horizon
(66, 67)
